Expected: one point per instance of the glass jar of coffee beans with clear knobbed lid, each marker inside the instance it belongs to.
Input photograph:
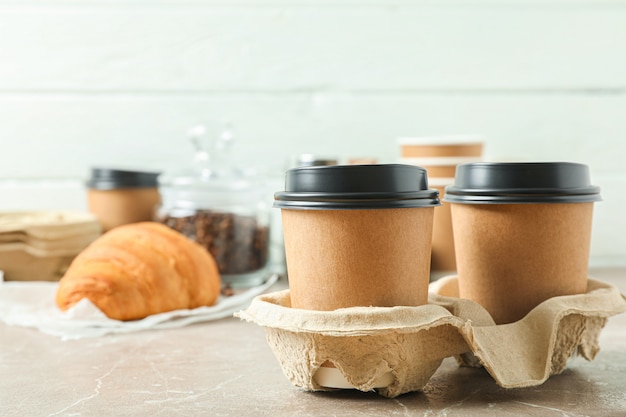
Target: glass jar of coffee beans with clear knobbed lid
(222, 208)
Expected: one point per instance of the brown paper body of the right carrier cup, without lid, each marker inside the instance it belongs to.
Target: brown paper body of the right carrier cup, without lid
(511, 257)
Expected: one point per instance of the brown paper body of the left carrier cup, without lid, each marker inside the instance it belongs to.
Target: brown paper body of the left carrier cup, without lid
(347, 258)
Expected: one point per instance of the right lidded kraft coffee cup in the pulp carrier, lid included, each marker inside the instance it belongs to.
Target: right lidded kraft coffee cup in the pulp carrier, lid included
(522, 233)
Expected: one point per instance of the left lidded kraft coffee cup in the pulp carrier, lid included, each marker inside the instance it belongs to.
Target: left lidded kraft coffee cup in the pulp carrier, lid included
(357, 235)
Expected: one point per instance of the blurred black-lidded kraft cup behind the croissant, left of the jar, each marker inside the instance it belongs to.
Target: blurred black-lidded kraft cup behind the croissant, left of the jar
(118, 197)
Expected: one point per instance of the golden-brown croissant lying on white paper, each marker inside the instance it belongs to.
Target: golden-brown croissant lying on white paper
(139, 269)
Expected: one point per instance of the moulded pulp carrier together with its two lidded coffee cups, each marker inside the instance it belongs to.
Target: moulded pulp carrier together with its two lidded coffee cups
(340, 234)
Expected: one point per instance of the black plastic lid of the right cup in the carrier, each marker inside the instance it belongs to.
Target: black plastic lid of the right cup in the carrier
(521, 182)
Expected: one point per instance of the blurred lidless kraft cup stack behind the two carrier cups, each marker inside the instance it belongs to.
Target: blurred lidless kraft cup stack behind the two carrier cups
(440, 155)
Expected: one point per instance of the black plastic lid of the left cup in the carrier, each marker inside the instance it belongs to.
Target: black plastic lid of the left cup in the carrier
(345, 187)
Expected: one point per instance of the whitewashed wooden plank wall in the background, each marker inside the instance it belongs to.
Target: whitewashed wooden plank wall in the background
(97, 82)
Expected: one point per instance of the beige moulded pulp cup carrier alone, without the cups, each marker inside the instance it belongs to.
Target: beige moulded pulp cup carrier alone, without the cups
(365, 343)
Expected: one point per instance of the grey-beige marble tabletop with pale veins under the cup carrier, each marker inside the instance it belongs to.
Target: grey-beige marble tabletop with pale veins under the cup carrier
(225, 368)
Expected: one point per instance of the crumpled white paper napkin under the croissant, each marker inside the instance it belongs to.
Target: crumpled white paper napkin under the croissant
(31, 304)
